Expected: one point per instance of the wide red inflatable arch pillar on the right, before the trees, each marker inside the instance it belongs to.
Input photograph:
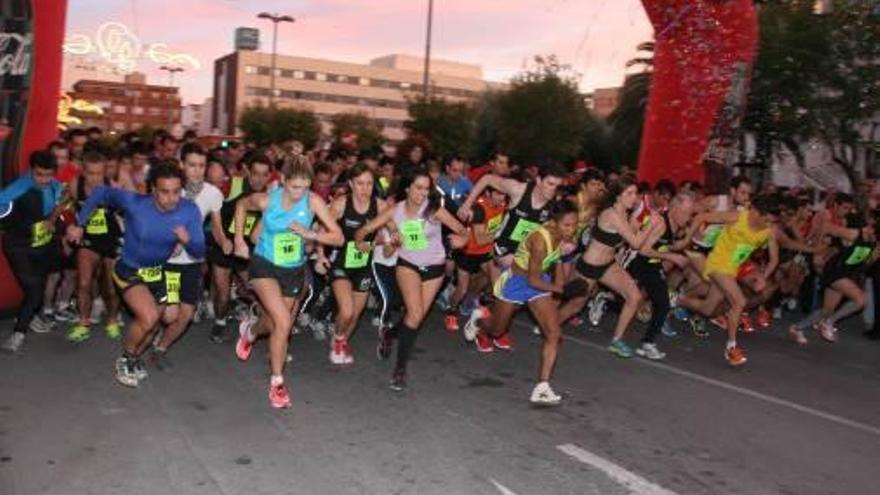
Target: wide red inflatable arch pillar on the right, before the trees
(702, 63)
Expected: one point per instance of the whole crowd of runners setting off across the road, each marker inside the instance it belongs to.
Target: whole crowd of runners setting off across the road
(263, 243)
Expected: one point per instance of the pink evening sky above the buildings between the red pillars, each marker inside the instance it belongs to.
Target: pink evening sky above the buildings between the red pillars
(596, 37)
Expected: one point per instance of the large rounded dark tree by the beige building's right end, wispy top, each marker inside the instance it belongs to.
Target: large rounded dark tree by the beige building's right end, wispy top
(543, 115)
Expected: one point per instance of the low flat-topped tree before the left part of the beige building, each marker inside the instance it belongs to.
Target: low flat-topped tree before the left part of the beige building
(271, 125)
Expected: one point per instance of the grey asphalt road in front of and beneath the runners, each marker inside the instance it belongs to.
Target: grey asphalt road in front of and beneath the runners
(794, 420)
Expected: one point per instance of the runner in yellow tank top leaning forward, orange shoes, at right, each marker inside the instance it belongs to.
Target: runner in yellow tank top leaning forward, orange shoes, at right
(743, 233)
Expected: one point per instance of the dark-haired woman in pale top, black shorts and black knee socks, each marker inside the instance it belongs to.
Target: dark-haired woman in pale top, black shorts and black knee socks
(414, 223)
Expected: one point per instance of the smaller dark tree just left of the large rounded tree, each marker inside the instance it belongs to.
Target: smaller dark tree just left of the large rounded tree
(448, 126)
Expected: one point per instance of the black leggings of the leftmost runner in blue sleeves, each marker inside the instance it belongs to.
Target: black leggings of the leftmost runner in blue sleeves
(31, 271)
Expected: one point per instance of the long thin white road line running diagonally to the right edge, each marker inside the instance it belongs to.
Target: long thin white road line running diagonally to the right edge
(840, 420)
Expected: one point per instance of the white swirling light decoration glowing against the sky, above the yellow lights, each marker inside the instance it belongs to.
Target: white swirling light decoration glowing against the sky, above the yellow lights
(117, 45)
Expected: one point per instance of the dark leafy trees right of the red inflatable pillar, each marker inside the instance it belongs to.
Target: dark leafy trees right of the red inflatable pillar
(816, 77)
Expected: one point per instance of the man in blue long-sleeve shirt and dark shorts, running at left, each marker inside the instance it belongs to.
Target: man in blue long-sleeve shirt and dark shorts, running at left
(156, 226)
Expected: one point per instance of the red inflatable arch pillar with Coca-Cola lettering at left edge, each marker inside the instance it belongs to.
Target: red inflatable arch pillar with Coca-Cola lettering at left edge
(31, 37)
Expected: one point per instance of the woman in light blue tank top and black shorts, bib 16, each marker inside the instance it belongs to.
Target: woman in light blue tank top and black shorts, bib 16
(278, 266)
